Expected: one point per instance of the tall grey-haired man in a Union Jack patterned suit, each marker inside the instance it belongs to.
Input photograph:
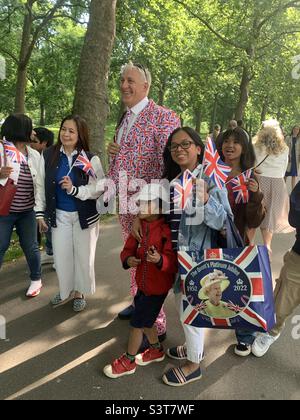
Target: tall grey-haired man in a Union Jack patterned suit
(138, 147)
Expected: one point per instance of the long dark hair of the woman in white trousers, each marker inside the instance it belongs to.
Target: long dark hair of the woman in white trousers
(83, 137)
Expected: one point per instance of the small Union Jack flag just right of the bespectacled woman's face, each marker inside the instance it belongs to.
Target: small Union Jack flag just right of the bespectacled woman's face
(214, 167)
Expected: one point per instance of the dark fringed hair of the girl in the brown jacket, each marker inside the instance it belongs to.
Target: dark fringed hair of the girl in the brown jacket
(248, 154)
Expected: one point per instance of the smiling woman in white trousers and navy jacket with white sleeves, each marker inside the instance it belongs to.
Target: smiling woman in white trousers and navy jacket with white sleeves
(75, 228)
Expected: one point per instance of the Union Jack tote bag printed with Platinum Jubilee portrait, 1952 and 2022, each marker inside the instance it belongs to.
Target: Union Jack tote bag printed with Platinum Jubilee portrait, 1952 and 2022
(228, 289)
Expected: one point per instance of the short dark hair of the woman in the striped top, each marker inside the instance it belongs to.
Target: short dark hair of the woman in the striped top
(17, 128)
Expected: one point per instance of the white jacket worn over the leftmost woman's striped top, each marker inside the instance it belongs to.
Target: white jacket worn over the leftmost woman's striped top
(33, 164)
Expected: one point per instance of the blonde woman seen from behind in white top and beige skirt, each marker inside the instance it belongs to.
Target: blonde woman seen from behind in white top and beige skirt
(270, 142)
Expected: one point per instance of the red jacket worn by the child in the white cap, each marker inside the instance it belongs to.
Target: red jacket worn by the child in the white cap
(153, 279)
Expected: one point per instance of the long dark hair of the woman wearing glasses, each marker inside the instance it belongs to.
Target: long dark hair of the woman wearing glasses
(171, 169)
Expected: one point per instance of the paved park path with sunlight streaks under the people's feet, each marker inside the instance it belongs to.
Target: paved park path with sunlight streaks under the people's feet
(57, 354)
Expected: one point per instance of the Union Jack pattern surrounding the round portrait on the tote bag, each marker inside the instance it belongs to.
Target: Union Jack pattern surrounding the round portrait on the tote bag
(258, 309)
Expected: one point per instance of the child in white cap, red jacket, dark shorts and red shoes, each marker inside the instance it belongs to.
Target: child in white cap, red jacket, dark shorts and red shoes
(156, 264)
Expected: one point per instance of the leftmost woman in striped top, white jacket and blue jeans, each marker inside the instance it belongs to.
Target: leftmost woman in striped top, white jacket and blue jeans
(17, 130)
